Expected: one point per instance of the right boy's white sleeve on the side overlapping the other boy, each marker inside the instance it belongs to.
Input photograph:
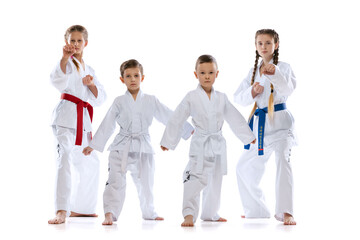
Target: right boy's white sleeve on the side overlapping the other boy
(175, 126)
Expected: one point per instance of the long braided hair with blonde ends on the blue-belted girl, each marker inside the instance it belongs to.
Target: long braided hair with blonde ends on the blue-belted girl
(275, 36)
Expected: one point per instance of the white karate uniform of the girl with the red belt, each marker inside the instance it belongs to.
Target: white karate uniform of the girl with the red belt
(77, 175)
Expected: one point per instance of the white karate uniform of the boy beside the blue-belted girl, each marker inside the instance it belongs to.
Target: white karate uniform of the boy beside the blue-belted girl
(207, 163)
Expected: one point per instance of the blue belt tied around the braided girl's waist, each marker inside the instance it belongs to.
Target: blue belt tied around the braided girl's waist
(261, 112)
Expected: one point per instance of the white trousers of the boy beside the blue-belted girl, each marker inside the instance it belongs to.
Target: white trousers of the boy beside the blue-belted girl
(210, 182)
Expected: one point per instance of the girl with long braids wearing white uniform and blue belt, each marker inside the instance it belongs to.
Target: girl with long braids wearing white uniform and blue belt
(268, 85)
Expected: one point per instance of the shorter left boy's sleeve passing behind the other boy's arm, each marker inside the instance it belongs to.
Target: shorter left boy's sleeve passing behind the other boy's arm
(163, 114)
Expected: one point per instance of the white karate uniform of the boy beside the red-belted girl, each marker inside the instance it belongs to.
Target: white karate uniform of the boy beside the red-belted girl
(131, 149)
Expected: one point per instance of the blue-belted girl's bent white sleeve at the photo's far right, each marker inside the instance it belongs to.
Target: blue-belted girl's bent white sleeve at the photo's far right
(283, 80)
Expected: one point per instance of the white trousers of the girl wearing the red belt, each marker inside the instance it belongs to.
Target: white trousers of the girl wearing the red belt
(77, 178)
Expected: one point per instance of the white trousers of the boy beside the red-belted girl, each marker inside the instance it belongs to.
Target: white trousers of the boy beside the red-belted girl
(142, 169)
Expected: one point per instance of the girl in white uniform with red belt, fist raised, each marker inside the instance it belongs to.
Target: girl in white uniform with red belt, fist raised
(77, 176)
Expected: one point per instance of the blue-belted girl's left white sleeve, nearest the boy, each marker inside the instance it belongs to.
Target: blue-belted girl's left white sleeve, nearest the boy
(243, 94)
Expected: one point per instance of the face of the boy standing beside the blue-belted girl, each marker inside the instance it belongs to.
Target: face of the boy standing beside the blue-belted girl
(206, 73)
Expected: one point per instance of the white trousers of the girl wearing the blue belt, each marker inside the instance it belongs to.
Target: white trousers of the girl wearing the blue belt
(250, 170)
